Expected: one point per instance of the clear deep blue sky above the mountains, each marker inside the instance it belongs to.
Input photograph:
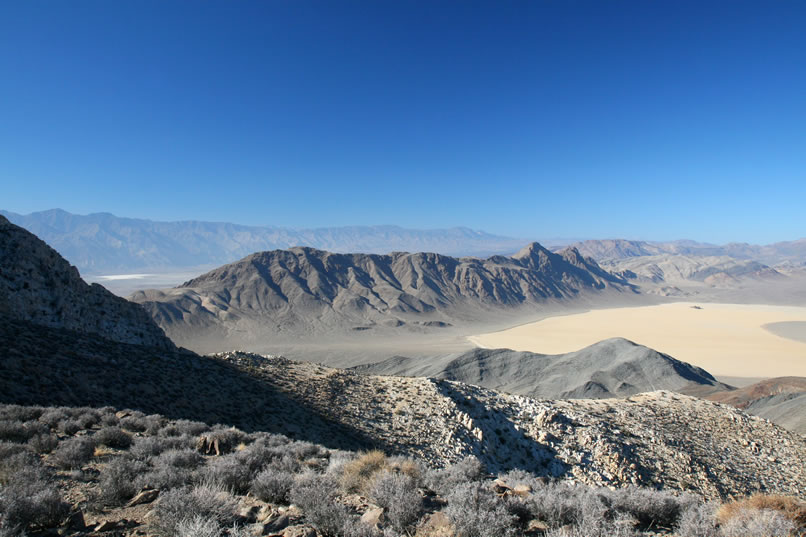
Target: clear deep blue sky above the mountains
(645, 119)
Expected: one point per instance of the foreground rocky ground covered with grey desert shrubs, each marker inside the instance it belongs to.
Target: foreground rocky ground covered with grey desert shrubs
(100, 472)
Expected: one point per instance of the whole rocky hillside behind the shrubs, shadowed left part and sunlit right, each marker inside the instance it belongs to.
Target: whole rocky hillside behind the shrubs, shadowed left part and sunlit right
(660, 439)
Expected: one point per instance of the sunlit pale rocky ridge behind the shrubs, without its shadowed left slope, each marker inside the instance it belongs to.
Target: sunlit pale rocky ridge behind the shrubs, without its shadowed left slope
(658, 439)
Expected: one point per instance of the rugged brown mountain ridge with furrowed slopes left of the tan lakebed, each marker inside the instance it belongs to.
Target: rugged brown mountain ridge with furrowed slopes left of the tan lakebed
(303, 290)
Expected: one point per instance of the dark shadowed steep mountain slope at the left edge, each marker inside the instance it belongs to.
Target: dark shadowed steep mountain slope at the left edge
(38, 285)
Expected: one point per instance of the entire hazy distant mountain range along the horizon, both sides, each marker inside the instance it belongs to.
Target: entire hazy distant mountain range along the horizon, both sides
(103, 243)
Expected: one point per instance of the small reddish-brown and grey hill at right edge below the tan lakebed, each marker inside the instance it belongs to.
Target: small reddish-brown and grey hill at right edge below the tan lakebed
(781, 400)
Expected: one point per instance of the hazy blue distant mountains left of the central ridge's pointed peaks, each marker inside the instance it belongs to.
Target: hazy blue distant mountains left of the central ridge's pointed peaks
(102, 242)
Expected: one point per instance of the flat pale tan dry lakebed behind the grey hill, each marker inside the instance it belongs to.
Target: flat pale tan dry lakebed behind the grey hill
(725, 339)
